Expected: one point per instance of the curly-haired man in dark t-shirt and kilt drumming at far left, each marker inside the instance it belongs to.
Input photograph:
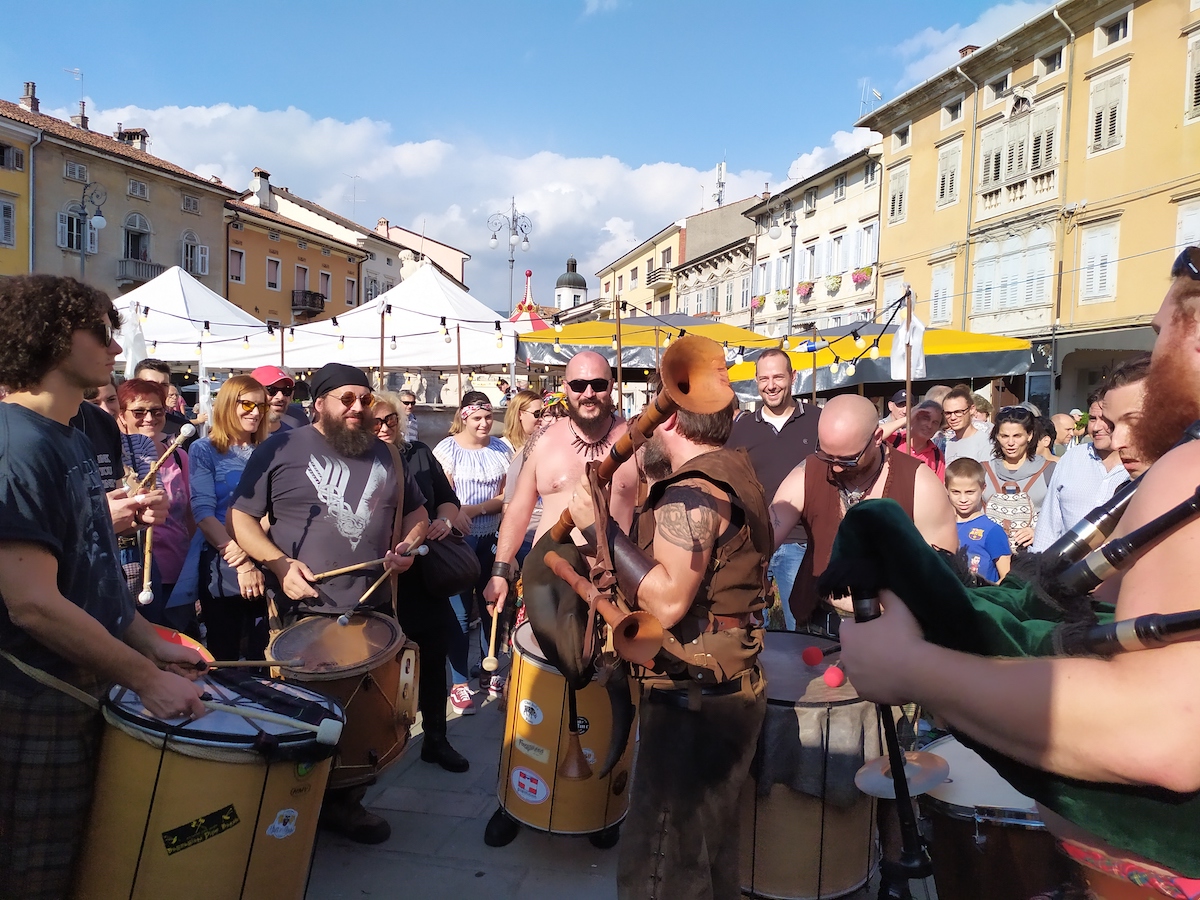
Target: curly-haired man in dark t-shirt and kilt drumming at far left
(67, 621)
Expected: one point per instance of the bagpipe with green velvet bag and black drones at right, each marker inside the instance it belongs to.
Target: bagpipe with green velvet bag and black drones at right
(1041, 610)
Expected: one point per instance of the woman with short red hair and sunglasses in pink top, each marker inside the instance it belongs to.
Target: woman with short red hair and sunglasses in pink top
(143, 413)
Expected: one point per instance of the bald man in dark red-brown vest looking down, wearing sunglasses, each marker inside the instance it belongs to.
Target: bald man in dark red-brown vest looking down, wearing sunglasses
(851, 465)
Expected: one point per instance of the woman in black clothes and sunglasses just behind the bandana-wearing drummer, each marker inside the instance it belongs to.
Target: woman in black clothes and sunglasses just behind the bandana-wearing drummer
(430, 621)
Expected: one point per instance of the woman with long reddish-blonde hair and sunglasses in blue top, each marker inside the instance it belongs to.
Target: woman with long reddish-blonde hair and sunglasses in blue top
(231, 586)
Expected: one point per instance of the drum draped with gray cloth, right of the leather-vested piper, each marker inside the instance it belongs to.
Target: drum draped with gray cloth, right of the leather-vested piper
(807, 831)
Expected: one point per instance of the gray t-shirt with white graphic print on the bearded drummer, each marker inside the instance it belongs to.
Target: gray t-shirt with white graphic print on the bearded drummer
(327, 511)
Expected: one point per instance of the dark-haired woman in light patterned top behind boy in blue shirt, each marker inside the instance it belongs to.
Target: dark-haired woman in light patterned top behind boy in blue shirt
(1018, 478)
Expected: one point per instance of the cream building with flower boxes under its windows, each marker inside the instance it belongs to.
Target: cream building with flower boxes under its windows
(817, 245)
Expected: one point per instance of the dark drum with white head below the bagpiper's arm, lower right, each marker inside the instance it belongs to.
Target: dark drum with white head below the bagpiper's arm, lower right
(988, 841)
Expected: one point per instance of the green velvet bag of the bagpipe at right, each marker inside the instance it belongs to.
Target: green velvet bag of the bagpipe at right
(878, 547)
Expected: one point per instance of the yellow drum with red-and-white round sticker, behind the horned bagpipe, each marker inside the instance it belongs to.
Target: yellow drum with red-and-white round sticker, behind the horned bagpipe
(536, 735)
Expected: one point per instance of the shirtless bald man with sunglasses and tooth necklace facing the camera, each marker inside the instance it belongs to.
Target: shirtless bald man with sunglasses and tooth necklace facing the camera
(555, 461)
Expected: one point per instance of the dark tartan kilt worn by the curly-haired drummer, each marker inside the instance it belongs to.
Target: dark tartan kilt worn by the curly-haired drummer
(49, 749)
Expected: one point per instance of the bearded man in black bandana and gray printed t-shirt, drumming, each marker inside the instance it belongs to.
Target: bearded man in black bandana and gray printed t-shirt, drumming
(331, 493)
